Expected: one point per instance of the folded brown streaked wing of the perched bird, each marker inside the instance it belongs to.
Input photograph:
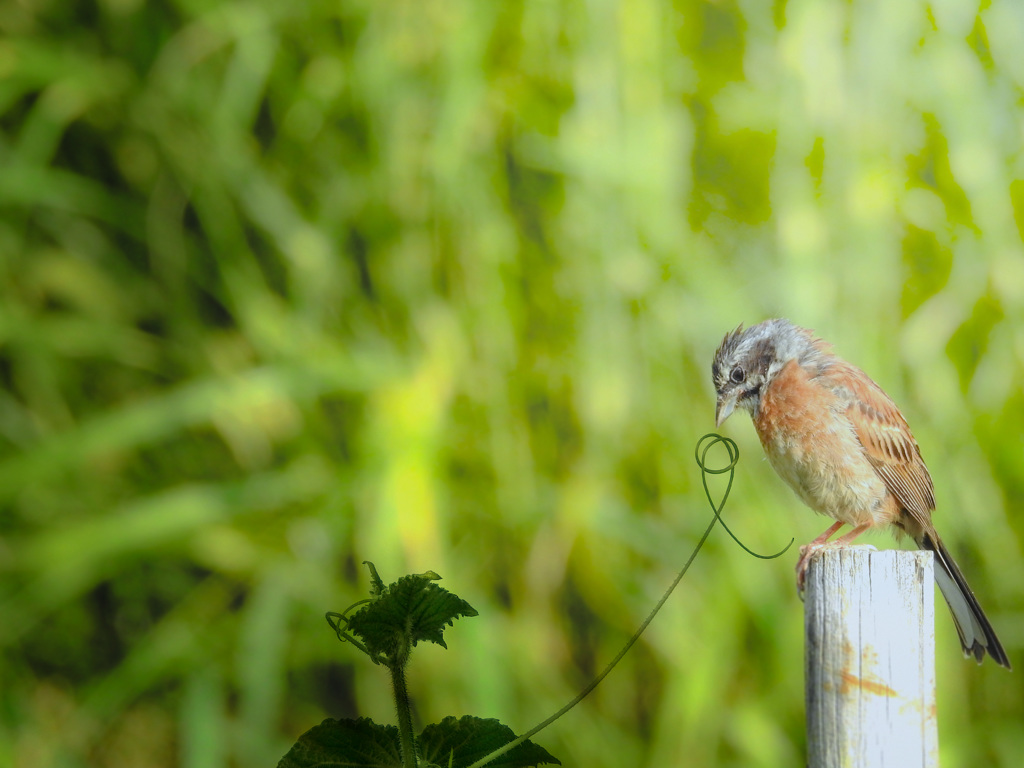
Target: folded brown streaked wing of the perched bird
(890, 448)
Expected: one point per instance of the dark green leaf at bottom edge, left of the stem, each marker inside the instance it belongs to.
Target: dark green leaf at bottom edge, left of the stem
(353, 744)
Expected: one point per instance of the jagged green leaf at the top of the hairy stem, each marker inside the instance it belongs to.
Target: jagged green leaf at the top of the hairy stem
(412, 610)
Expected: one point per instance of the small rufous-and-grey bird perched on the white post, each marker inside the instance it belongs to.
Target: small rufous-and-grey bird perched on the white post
(843, 446)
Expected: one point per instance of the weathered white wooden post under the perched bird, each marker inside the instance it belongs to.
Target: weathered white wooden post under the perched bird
(870, 660)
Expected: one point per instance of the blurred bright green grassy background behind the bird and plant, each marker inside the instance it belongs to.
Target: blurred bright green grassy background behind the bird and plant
(437, 284)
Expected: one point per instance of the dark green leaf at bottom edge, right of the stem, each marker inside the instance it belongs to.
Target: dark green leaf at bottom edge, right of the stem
(470, 739)
